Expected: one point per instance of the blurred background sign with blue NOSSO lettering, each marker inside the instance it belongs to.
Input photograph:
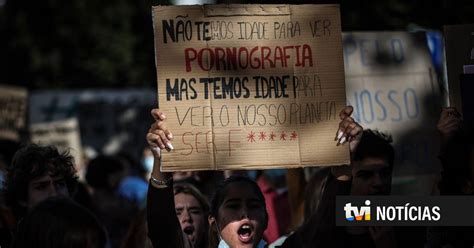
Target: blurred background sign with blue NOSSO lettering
(390, 81)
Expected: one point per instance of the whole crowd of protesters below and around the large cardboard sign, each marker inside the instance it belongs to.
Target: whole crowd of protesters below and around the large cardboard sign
(124, 203)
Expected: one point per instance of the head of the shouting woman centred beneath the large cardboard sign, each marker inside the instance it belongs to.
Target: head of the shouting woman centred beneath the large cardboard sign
(241, 216)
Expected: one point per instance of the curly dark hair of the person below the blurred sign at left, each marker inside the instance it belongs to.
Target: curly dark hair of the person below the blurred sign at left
(33, 161)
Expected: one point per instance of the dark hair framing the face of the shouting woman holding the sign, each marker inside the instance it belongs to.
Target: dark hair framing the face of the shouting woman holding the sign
(218, 198)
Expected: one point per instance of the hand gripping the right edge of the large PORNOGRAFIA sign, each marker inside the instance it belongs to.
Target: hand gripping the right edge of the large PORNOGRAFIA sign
(349, 130)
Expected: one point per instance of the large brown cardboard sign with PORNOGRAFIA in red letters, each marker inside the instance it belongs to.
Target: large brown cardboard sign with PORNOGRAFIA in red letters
(250, 86)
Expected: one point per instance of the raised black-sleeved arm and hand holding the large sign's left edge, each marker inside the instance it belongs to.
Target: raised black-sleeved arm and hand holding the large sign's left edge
(164, 229)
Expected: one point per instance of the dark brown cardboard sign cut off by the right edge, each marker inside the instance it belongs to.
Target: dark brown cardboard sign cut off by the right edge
(459, 44)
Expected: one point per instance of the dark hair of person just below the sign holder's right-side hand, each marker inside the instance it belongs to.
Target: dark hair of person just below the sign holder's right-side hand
(374, 144)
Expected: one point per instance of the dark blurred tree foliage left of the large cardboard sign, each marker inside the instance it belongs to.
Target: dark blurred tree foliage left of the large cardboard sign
(78, 43)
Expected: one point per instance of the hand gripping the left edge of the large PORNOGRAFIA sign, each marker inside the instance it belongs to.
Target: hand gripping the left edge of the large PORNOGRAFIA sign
(158, 136)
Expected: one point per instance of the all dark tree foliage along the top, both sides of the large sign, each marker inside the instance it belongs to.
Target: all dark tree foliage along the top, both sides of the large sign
(90, 43)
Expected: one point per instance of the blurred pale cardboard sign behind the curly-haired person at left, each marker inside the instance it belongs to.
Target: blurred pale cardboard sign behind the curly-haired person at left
(62, 134)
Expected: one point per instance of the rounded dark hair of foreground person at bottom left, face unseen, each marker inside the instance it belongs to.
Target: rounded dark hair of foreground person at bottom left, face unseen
(60, 222)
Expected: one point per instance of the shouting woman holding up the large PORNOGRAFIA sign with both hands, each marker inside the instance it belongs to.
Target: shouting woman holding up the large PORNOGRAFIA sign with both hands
(238, 214)
